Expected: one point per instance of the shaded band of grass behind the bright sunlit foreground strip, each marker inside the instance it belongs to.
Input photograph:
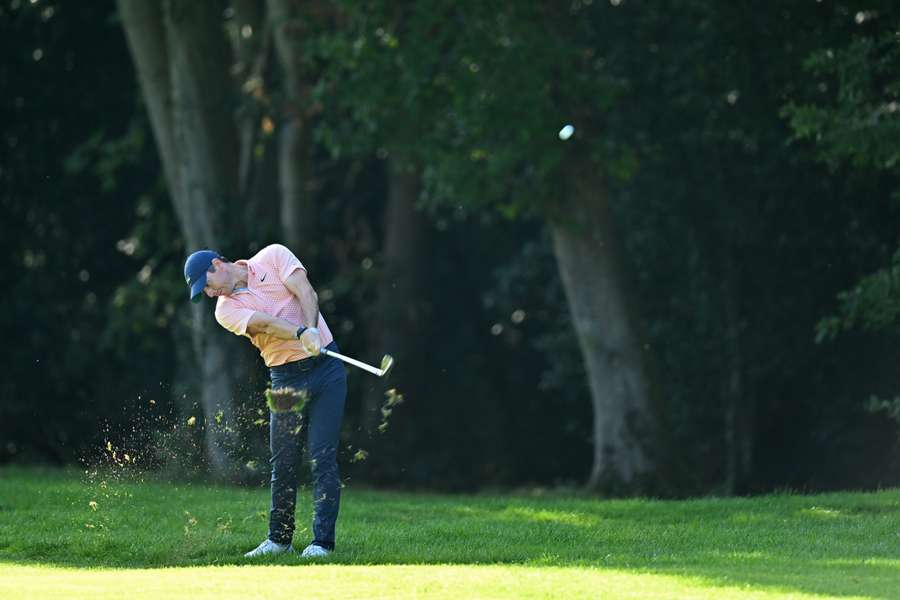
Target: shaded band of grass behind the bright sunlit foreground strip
(837, 544)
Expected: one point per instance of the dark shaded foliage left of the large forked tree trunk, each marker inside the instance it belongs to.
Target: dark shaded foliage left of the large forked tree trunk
(76, 175)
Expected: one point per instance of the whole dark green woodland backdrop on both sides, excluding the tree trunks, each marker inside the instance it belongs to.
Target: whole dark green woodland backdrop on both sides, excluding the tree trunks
(751, 159)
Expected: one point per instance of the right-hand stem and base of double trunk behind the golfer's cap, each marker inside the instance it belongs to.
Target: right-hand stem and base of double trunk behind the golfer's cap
(207, 148)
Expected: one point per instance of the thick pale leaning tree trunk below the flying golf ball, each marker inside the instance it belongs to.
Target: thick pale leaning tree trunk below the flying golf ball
(585, 249)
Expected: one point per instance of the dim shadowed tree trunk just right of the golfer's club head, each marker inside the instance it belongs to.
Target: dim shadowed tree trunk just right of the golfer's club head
(399, 326)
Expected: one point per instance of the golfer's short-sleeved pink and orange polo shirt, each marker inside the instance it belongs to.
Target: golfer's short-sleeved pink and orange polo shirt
(266, 293)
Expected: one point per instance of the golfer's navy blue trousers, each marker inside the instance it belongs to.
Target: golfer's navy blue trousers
(325, 380)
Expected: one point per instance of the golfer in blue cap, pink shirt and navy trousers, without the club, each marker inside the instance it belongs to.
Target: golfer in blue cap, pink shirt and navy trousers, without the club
(269, 299)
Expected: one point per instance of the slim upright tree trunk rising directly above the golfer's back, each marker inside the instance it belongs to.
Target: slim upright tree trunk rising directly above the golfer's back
(295, 152)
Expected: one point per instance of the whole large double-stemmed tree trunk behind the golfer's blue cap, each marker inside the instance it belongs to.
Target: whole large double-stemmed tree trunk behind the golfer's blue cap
(182, 64)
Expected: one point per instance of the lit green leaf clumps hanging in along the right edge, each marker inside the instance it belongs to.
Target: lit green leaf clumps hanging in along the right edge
(851, 118)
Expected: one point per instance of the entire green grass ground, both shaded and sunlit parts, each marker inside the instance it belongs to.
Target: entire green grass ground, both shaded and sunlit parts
(64, 535)
